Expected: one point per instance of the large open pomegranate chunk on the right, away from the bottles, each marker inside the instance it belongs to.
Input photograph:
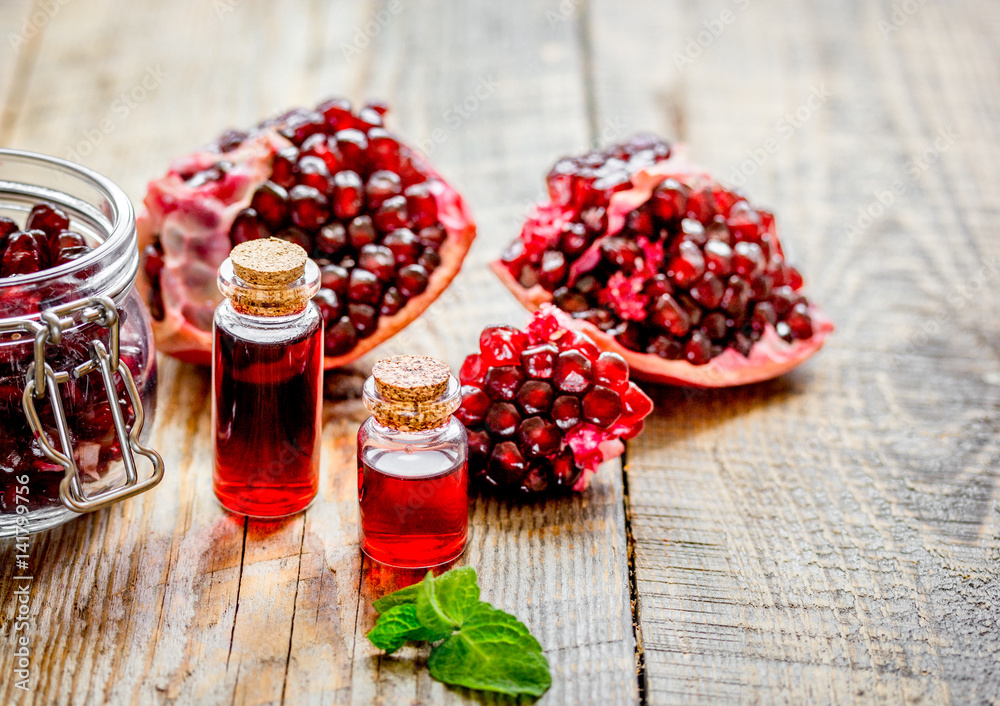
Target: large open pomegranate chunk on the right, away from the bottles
(658, 262)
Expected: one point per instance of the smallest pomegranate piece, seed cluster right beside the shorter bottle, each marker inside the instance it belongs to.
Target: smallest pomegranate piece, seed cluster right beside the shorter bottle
(537, 422)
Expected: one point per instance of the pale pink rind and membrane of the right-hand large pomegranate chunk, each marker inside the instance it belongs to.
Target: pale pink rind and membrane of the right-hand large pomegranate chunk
(770, 357)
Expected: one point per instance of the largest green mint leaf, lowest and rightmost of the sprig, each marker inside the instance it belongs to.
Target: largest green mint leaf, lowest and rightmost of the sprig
(493, 651)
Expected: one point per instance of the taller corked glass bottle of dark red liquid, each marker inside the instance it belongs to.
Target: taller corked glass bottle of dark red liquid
(267, 376)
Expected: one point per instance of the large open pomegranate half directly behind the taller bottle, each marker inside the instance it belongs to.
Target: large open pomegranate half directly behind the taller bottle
(388, 232)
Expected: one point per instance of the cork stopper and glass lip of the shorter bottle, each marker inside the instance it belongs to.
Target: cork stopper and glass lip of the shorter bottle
(412, 393)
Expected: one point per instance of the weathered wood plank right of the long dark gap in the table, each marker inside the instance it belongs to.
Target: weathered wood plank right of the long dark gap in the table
(830, 537)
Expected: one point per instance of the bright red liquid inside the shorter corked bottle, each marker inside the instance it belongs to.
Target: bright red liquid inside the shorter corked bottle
(414, 507)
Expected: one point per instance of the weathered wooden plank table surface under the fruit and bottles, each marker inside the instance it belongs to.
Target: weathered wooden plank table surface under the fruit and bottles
(832, 536)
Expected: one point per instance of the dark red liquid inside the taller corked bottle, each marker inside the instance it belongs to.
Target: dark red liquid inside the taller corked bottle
(266, 416)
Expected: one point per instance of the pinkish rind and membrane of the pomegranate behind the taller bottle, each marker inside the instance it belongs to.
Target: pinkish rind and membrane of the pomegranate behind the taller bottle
(194, 223)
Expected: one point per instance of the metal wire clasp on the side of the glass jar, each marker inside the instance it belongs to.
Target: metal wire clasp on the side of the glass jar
(41, 381)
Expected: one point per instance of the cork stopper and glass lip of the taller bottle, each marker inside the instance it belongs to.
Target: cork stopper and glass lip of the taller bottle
(269, 277)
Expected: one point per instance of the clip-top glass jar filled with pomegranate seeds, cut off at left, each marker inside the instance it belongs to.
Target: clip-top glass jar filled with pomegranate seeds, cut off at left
(77, 361)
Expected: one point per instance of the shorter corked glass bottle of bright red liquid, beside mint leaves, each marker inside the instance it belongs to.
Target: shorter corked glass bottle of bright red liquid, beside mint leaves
(413, 465)
